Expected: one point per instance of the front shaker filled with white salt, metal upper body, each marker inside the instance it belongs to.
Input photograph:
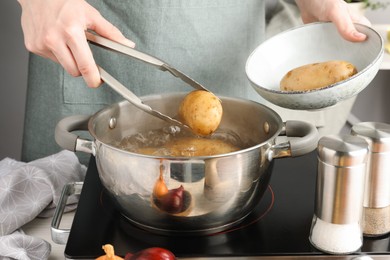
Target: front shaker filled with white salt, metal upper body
(337, 217)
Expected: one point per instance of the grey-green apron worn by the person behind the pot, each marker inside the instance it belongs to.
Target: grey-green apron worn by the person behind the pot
(209, 40)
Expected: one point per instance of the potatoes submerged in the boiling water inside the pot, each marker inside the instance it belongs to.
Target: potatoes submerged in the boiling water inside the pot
(191, 146)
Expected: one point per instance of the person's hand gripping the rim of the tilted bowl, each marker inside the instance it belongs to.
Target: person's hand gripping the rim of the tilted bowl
(336, 11)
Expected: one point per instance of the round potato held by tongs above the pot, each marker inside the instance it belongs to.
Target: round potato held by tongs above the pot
(201, 111)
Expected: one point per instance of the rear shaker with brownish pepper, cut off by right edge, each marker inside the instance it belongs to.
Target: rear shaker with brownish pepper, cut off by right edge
(376, 205)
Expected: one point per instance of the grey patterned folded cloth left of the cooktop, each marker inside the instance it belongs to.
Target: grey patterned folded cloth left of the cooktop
(28, 190)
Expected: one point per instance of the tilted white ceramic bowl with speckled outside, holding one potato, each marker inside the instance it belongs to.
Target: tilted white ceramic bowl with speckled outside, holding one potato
(310, 43)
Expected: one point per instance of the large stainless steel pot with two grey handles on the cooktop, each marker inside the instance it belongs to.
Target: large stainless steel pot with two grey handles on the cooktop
(219, 191)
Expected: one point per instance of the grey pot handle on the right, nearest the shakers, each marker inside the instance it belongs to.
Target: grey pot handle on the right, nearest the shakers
(306, 142)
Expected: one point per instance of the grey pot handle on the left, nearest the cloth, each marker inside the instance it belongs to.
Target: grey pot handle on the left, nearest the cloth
(70, 141)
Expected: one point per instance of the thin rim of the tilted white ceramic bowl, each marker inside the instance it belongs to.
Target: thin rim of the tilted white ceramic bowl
(300, 92)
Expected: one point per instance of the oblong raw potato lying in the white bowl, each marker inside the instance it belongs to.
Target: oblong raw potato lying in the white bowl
(317, 75)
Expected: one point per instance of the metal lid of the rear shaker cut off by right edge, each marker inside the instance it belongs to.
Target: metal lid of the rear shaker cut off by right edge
(377, 134)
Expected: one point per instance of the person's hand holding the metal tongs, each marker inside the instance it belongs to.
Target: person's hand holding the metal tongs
(55, 29)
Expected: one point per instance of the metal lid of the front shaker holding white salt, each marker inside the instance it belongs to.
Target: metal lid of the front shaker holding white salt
(342, 150)
